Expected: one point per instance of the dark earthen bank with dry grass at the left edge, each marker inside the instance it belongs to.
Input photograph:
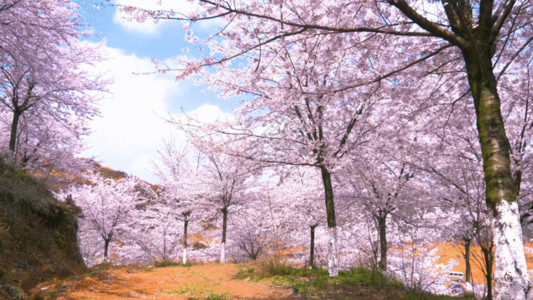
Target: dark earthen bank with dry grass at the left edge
(38, 235)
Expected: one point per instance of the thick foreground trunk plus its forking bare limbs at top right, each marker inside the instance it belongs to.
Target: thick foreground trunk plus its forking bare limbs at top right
(477, 41)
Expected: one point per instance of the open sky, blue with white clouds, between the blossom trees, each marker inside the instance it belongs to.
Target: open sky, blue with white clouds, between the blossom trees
(132, 126)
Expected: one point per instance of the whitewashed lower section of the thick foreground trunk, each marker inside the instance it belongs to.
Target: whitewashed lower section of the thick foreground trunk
(511, 279)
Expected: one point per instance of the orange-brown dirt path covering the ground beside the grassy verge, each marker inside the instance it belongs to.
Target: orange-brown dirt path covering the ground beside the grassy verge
(207, 281)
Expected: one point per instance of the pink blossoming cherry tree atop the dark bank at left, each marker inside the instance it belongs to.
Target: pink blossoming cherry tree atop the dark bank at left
(45, 77)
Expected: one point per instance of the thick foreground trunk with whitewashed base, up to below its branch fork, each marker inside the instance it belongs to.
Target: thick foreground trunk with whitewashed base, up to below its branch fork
(511, 280)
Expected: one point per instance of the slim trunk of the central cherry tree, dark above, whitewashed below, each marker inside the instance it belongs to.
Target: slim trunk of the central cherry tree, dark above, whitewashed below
(333, 254)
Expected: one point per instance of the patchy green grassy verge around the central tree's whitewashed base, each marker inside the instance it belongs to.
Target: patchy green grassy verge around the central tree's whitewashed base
(357, 283)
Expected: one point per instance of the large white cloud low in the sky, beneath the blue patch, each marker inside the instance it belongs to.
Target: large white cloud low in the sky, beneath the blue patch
(133, 122)
